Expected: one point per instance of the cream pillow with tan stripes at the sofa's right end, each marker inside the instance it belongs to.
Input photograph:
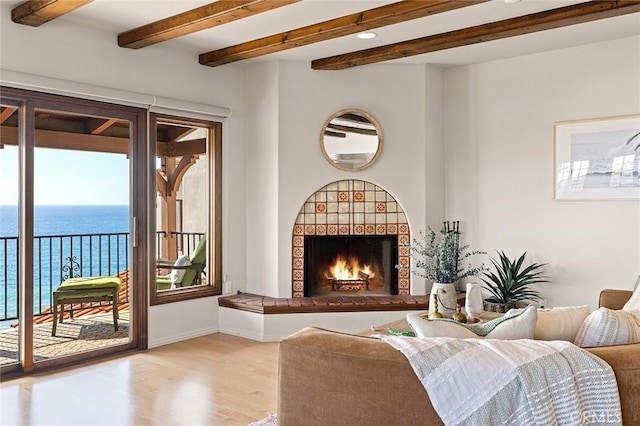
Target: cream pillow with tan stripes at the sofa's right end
(605, 327)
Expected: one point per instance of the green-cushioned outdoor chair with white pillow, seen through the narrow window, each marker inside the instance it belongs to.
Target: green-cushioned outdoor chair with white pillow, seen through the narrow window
(186, 271)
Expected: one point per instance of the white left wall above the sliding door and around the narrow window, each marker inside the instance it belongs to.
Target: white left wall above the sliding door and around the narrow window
(62, 50)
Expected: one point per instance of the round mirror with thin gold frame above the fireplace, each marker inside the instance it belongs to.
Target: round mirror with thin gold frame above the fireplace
(351, 140)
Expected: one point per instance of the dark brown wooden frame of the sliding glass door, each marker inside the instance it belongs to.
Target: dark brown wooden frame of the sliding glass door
(27, 103)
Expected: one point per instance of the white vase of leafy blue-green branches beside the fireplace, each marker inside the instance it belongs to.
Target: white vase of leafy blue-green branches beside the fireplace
(438, 258)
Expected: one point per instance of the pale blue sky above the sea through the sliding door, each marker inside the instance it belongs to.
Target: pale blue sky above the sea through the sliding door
(65, 177)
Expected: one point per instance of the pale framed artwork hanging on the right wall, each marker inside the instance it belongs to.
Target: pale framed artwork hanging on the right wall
(597, 159)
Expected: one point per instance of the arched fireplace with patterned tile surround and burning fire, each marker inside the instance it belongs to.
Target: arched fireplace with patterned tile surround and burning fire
(358, 221)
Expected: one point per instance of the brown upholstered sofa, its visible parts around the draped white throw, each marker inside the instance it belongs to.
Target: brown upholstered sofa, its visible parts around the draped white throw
(328, 378)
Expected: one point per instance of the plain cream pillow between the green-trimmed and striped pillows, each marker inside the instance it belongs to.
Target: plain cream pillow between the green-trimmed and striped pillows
(561, 323)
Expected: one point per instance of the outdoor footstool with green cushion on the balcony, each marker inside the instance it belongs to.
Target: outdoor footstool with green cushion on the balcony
(78, 289)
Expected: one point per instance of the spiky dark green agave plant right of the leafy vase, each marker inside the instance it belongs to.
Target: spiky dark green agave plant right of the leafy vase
(511, 282)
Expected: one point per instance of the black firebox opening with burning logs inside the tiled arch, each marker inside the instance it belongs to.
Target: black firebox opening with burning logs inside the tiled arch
(350, 265)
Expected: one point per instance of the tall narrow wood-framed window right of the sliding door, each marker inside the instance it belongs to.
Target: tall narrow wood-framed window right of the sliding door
(188, 209)
